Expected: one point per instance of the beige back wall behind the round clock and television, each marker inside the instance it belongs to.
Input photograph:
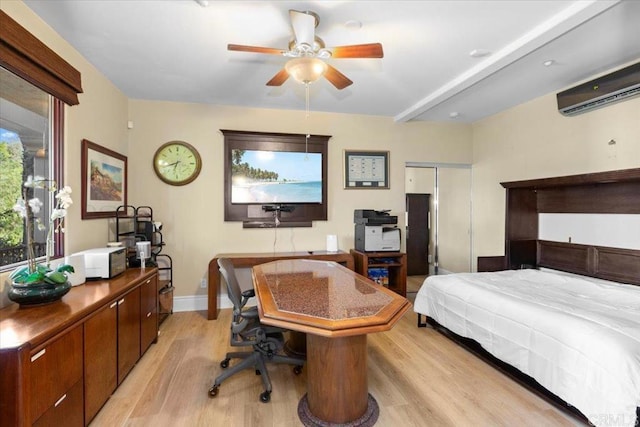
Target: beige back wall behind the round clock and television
(192, 216)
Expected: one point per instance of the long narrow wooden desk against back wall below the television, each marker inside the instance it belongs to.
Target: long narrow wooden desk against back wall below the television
(248, 260)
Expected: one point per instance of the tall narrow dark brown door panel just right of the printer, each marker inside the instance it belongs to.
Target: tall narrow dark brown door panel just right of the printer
(417, 234)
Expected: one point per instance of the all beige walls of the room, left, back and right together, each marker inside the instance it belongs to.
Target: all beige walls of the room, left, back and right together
(529, 141)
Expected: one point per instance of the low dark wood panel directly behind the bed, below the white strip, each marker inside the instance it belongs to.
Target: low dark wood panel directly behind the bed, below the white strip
(620, 265)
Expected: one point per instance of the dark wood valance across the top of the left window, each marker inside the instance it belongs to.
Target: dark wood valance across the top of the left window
(27, 57)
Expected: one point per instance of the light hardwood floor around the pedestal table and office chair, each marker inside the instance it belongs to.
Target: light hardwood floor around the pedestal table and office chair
(418, 377)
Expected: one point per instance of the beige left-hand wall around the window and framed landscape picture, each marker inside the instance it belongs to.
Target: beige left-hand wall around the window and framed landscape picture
(101, 117)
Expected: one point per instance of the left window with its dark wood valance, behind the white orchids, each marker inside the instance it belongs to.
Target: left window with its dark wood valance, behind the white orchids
(34, 82)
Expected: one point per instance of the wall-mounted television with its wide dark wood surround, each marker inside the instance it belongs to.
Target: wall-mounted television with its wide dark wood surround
(274, 175)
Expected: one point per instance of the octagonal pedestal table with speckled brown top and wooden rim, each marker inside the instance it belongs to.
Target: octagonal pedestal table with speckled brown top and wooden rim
(336, 308)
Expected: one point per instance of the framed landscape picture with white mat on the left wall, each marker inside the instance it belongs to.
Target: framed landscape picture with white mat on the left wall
(104, 181)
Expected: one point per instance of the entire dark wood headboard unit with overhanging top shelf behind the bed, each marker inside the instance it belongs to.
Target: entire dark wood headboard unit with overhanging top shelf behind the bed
(613, 192)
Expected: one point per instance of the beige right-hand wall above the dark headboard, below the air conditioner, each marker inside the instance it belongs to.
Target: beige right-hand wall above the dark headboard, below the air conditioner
(533, 140)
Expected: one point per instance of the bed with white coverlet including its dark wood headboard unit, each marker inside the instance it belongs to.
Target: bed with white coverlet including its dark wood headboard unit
(563, 314)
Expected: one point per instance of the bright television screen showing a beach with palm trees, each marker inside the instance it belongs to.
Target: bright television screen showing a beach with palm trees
(275, 177)
